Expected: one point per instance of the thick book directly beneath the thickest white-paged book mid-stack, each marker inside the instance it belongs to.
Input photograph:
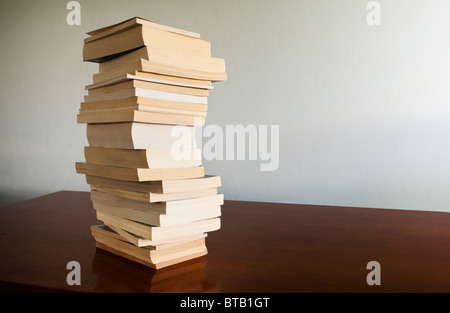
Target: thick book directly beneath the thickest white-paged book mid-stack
(152, 159)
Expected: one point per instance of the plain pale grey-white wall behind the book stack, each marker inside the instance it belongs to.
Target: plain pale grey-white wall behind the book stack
(364, 111)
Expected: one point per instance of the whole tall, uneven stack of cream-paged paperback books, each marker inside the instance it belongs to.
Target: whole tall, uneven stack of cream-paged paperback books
(149, 190)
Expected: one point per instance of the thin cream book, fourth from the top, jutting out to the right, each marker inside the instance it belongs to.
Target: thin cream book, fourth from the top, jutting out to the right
(158, 68)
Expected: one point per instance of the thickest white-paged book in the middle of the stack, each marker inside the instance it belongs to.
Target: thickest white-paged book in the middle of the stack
(138, 135)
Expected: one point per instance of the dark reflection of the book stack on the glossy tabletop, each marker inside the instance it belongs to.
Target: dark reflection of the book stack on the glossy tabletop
(120, 273)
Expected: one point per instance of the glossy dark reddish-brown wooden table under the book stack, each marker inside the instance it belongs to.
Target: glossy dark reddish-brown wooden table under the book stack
(262, 247)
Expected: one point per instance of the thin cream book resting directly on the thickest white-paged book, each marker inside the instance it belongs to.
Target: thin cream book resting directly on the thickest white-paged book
(139, 116)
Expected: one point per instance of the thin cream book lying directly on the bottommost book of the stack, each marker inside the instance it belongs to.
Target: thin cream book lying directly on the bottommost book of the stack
(117, 233)
